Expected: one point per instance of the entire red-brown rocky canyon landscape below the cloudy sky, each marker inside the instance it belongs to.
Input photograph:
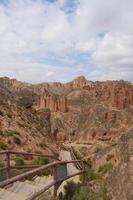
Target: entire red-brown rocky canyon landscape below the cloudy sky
(95, 117)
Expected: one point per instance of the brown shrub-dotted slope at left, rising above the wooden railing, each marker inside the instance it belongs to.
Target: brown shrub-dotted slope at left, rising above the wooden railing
(21, 126)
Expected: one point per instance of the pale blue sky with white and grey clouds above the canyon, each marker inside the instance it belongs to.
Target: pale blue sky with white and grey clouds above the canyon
(58, 40)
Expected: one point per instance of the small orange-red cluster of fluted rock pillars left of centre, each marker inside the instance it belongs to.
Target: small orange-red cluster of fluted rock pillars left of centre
(53, 102)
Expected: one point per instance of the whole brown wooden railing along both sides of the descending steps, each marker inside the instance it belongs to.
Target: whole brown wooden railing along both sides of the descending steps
(57, 180)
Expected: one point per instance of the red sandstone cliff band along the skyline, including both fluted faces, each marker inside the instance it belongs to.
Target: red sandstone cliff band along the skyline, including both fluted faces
(116, 94)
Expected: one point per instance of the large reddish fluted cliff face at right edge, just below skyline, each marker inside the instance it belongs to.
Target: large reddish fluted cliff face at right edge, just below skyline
(117, 94)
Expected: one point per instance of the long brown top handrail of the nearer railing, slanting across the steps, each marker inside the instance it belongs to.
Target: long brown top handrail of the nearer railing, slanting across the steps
(34, 172)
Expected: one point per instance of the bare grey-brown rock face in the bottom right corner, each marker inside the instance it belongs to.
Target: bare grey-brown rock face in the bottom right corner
(120, 181)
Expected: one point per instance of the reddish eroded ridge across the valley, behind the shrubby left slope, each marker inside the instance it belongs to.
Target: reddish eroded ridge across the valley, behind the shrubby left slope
(90, 110)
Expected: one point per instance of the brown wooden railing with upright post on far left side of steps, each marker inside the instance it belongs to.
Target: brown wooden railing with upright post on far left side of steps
(8, 166)
